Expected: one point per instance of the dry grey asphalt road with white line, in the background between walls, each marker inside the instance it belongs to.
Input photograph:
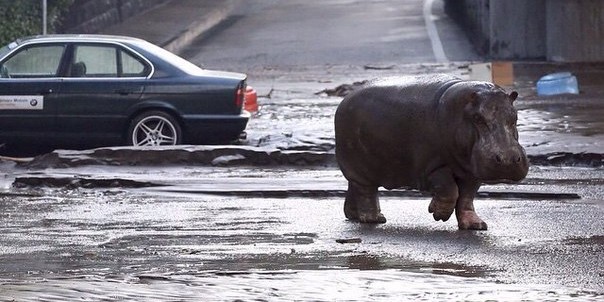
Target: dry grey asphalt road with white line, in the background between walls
(270, 33)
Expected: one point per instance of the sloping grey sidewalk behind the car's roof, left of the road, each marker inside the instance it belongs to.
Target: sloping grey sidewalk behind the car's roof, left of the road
(176, 23)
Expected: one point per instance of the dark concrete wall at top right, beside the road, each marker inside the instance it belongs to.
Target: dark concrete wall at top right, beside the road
(556, 30)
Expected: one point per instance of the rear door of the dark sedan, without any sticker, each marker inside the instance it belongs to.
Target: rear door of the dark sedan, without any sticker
(102, 81)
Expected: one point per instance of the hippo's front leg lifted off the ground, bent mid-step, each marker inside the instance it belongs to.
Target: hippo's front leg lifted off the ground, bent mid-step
(444, 194)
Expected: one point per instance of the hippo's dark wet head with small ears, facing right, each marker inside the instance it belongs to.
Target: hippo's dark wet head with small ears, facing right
(480, 133)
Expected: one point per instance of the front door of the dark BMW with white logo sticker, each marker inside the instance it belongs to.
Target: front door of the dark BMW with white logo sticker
(29, 89)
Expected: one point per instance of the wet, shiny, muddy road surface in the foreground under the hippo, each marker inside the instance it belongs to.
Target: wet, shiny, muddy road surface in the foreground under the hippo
(128, 244)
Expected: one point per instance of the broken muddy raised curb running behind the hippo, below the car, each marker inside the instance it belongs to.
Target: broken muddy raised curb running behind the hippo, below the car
(221, 155)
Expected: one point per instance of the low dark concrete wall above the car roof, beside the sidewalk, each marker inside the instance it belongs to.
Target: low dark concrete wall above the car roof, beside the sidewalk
(90, 16)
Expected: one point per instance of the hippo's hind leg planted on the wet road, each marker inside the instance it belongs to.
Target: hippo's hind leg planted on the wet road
(362, 204)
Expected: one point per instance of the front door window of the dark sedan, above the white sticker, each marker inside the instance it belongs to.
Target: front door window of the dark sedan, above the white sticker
(37, 61)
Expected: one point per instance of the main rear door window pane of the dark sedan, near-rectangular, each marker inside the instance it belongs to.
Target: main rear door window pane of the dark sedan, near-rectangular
(94, 61)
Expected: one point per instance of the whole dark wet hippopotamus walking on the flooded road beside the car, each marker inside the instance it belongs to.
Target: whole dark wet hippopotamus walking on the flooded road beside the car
(437, 134)
